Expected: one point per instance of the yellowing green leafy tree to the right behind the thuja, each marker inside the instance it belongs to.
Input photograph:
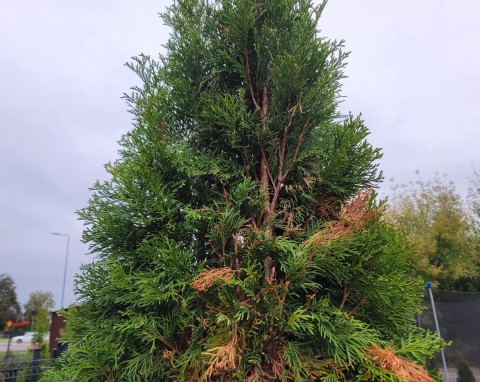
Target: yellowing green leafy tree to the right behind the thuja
(440, 228)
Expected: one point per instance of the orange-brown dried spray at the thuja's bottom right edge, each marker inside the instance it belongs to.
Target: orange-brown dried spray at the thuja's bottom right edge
(406, 371)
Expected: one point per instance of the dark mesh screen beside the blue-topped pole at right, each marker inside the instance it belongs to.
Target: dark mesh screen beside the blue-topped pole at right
(458, 316)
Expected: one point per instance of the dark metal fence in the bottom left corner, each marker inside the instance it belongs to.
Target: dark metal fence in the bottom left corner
(29, 370)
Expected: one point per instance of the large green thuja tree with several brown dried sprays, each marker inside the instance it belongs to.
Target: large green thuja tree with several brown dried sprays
(237, 239)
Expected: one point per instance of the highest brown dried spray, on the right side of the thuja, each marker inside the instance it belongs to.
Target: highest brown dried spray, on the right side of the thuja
(353, 215)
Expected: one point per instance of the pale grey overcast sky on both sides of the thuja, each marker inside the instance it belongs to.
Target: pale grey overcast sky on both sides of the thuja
(414, 74)
